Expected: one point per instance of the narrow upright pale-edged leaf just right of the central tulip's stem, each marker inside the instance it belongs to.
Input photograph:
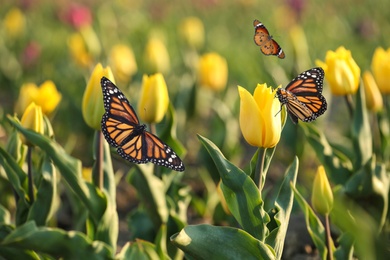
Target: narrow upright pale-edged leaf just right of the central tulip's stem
(283, 207)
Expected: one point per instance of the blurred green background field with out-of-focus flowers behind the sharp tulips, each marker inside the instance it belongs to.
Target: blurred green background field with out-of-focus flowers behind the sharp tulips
(62, 41)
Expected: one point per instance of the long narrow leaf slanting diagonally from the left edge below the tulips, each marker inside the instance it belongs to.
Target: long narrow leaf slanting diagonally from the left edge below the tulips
(70, 169)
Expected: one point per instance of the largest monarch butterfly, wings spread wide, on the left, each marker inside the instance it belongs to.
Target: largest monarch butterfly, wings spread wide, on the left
(121, 128)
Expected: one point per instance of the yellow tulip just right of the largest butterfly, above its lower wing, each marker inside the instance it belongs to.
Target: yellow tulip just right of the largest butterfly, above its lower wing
(154, 99)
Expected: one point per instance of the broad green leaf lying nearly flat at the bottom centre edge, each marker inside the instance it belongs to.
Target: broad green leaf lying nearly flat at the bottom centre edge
(211, 242)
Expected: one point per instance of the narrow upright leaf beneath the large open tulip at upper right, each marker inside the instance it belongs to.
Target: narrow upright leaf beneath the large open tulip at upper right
(361, 131)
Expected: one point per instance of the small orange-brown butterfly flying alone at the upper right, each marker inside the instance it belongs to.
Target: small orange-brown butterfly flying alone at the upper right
(268, 46)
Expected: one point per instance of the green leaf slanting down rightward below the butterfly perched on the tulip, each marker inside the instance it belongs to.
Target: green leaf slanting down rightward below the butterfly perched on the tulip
(339, 170)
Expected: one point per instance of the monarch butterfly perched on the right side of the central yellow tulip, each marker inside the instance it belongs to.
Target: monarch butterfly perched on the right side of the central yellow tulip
(303, 97)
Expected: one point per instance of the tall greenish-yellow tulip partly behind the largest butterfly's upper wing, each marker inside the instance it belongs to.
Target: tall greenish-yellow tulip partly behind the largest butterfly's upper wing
(93, 107)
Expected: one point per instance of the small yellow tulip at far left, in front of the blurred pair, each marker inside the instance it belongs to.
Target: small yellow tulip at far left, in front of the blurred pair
(32, 119)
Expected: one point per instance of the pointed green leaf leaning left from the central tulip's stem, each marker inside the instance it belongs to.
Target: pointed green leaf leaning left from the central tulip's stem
(240, 192)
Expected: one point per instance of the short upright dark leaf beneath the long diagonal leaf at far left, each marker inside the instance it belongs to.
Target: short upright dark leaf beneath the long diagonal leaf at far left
(43, 207)
